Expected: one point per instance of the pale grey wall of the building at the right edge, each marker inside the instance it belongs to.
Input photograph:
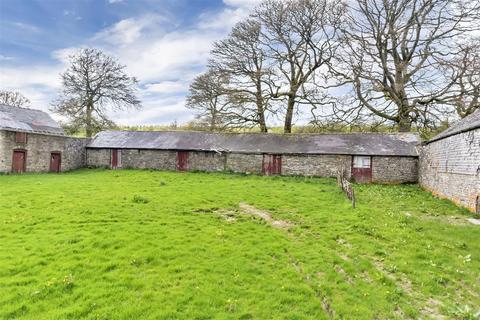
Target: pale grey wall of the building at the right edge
(450, 168)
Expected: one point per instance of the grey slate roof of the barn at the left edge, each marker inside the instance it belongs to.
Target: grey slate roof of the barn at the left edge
(27, 120)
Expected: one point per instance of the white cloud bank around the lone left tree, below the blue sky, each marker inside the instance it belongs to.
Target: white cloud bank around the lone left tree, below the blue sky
(164, 57)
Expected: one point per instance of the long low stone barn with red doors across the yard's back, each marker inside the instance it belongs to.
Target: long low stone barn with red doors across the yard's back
(367, 157)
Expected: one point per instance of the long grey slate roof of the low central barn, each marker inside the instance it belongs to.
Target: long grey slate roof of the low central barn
(354, 143)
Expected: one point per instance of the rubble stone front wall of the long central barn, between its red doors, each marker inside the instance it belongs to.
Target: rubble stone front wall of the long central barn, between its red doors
(385, 169)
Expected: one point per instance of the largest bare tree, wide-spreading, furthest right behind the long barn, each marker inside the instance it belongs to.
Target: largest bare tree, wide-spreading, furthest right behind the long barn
(394, 50)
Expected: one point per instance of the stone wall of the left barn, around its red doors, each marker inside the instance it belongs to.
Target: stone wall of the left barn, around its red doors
(39, 148)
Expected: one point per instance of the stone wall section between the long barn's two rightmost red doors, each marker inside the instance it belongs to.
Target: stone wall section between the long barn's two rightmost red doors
(315, 165)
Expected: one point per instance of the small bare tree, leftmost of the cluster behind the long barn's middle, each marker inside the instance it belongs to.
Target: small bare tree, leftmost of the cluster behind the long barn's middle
(208, 98)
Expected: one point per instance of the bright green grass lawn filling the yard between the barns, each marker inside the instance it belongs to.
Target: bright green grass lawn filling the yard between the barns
(164, 245)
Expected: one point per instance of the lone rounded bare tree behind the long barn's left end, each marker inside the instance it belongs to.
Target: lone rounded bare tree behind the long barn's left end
(94, 84)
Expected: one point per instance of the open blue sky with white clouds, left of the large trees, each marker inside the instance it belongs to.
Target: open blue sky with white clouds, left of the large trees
(163, 43)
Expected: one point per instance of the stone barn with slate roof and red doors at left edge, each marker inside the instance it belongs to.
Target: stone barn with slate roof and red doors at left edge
(30, 140)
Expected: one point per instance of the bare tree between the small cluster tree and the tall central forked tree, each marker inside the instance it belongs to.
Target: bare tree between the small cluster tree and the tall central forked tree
(243, 58)
